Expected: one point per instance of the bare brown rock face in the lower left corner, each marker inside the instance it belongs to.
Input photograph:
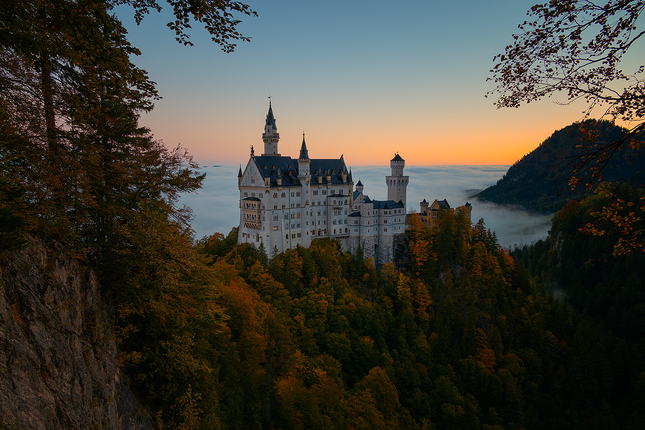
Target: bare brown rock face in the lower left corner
(58, 356)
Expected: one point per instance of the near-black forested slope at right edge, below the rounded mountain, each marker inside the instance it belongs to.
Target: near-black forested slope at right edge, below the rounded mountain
(586, 267)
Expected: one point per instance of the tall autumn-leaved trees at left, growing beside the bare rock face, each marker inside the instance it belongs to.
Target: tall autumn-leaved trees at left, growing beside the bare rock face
(73, 157)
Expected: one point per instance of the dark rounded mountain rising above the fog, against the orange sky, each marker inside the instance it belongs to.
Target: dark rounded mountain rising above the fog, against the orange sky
(556, 171)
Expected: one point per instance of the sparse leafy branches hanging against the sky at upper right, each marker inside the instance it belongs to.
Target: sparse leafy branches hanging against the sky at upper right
(574, 48)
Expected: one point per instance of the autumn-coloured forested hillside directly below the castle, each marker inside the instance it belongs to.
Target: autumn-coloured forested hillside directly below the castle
(317, 338)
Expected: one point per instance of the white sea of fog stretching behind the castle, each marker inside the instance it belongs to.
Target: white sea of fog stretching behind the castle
(216, 205)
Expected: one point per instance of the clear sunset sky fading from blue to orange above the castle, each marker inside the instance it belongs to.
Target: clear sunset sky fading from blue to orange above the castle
(365, 79)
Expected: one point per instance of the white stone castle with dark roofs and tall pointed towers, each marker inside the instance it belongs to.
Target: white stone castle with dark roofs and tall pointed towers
(285, 203)
